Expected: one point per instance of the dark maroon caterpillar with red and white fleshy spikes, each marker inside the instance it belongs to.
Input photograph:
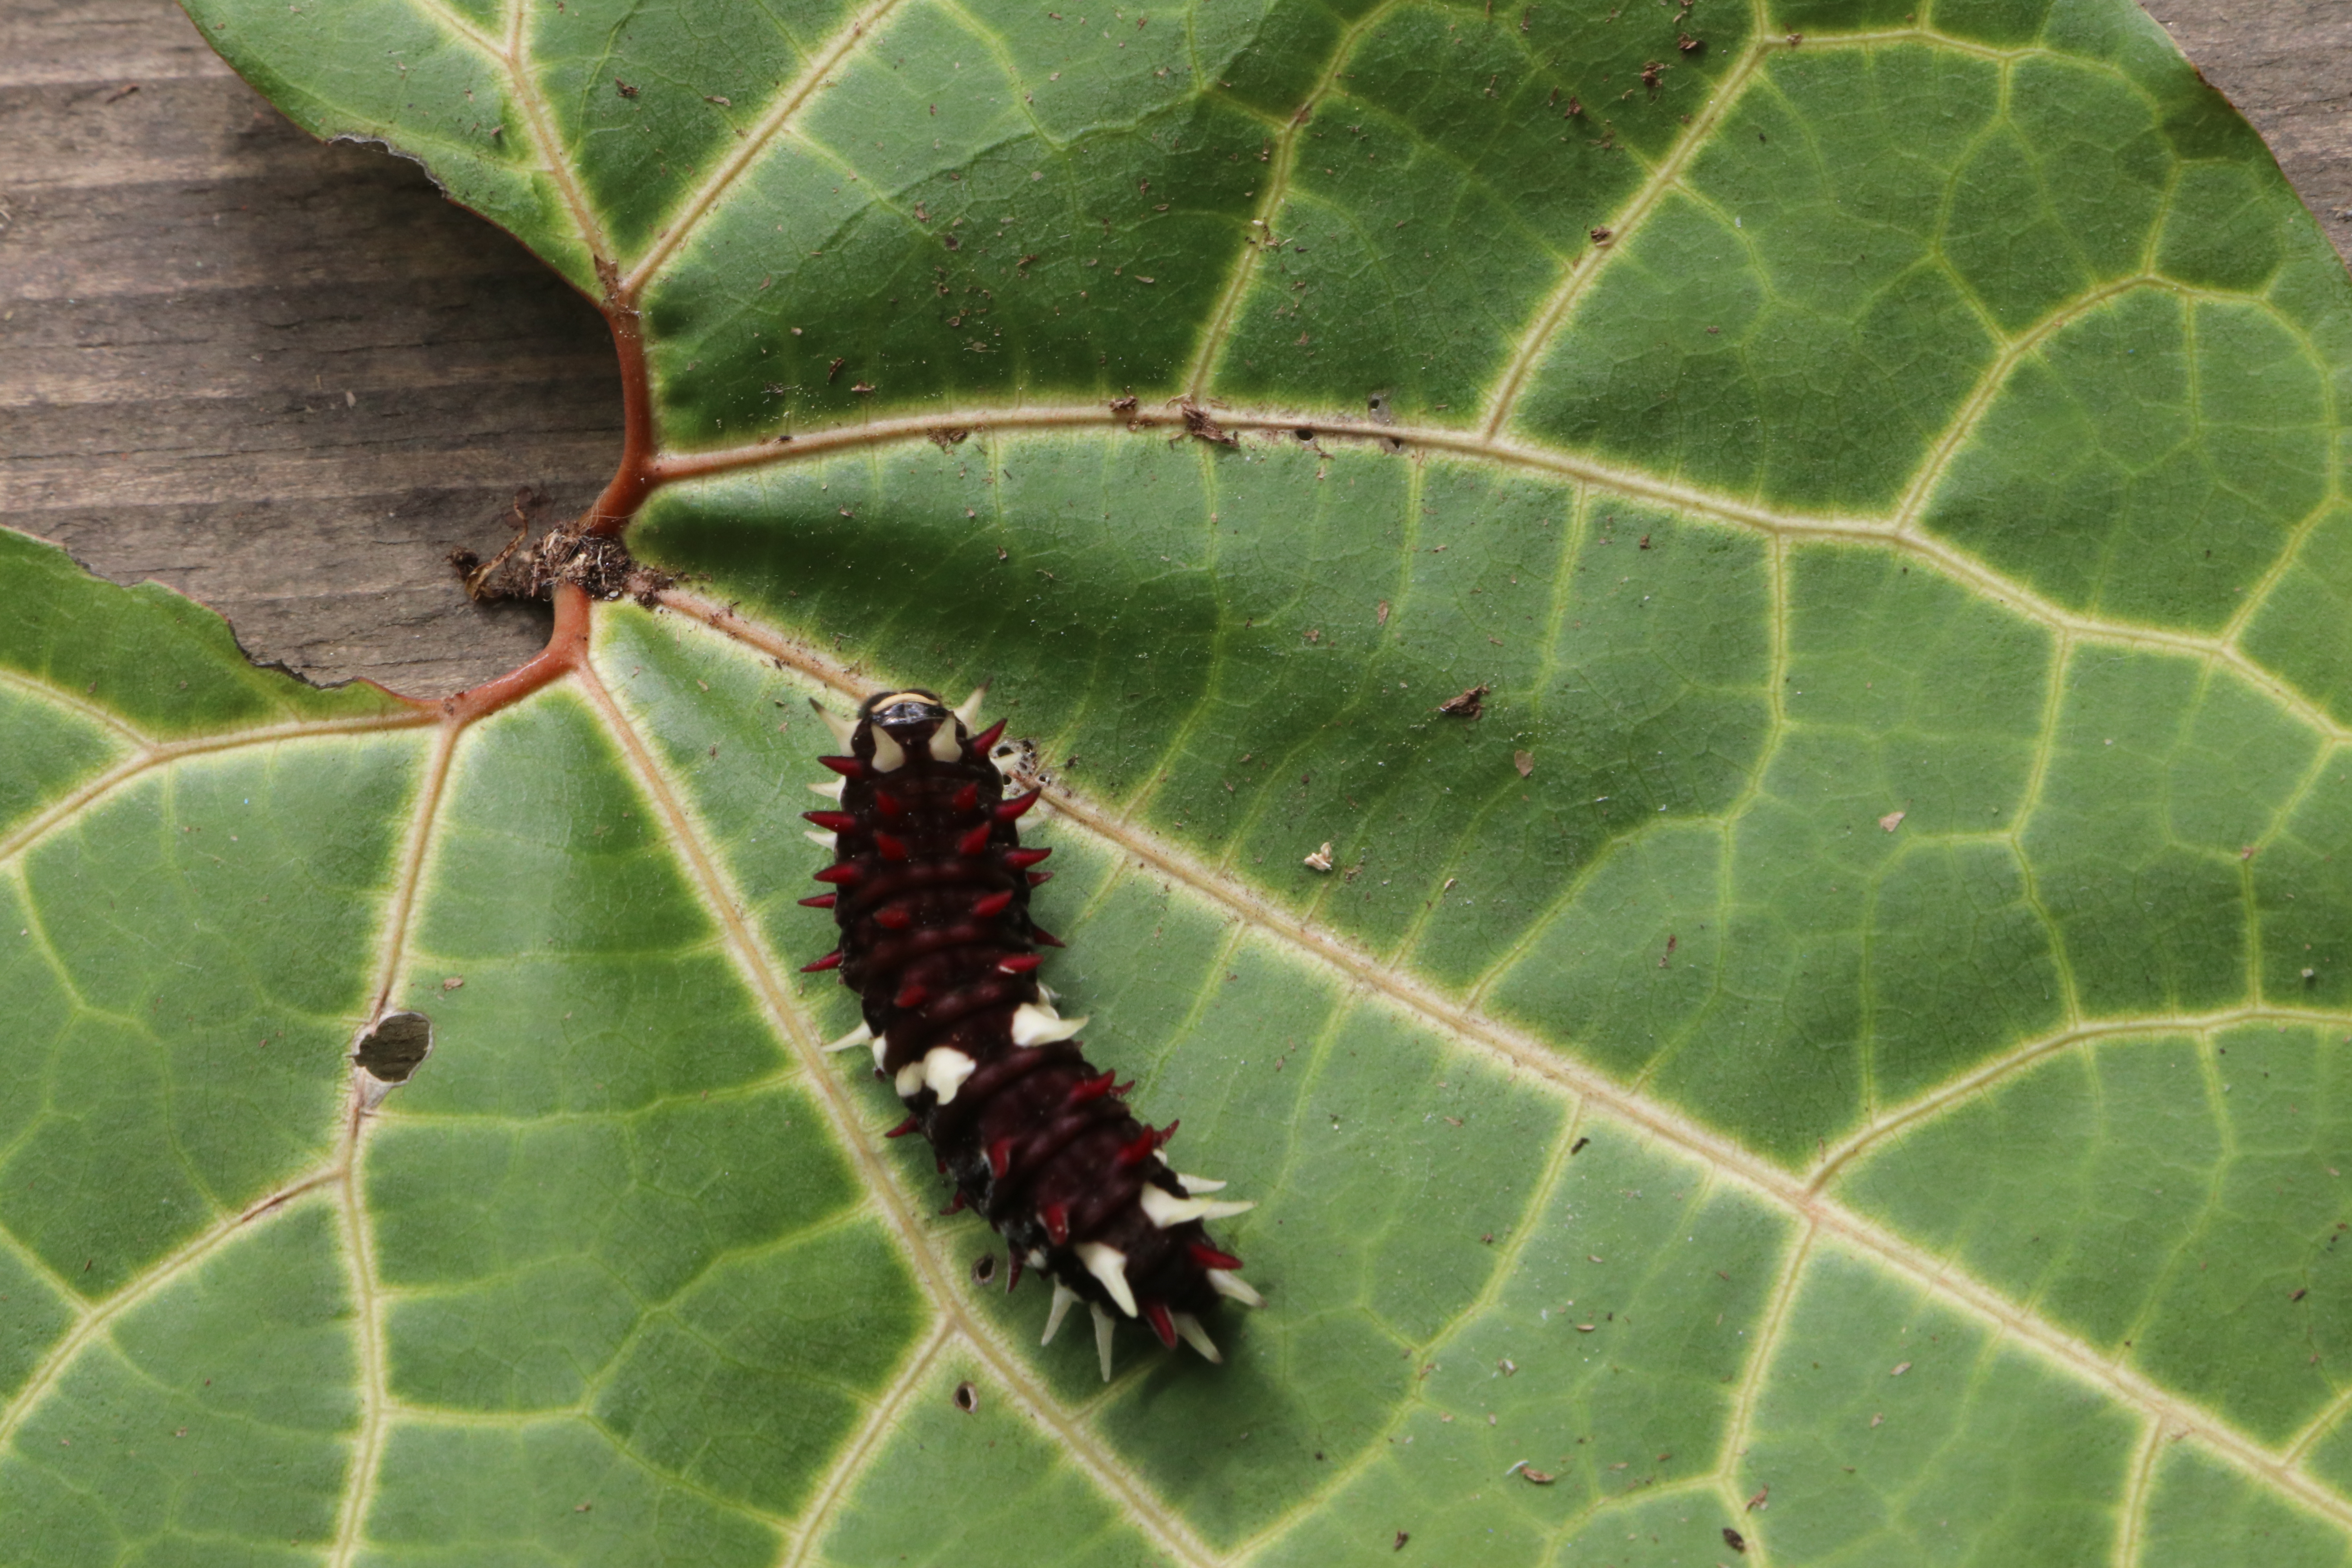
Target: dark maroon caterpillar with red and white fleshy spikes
(930, 890)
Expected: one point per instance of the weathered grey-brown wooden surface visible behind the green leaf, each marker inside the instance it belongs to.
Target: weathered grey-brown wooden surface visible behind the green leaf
(290, 377)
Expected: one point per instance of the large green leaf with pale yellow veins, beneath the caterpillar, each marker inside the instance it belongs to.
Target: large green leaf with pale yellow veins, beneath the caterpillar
(1840, 1064)
